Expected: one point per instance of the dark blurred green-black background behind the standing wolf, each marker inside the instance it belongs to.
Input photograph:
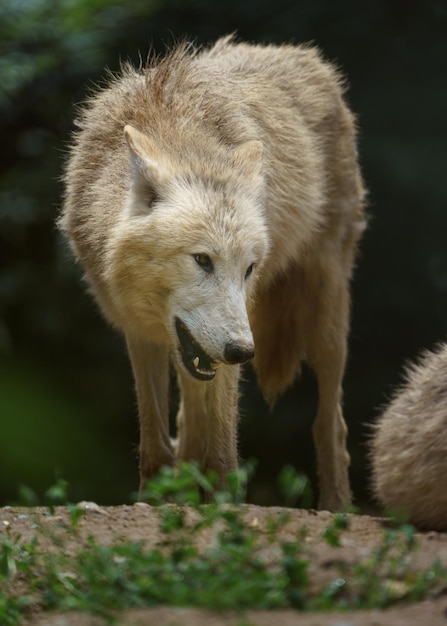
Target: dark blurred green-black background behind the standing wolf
(66, 397)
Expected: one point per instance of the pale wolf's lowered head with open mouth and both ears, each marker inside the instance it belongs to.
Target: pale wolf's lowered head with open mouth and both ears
(188, 250)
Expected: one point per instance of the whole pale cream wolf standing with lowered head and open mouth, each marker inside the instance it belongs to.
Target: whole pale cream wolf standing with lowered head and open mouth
(215, 201)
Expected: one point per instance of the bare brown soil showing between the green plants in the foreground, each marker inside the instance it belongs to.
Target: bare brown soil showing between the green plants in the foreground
(140, 522)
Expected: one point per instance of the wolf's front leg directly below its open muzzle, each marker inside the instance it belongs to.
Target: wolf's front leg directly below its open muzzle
(207, 421)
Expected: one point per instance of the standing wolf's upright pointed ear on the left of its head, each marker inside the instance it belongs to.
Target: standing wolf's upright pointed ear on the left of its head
(148, 167)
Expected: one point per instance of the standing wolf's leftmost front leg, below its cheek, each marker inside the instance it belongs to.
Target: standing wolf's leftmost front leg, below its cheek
(150, 365)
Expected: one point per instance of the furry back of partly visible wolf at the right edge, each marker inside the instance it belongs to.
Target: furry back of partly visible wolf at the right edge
(409, 445)
